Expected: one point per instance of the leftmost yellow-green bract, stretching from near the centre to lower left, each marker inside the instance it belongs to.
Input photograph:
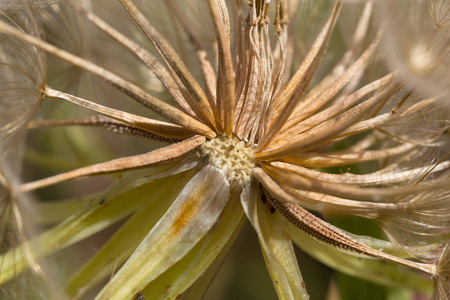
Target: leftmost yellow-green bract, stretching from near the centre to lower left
(123, 198)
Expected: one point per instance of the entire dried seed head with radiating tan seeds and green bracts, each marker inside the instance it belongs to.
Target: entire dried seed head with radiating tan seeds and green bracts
(253, 132)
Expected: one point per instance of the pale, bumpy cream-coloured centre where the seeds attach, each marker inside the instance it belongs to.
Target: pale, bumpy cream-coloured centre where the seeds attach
(231, 155)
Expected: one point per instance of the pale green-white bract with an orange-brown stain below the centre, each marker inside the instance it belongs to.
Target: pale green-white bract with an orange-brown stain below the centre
(189, 218)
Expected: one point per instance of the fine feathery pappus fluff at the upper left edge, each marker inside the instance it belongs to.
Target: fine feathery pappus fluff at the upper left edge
(23, 78)
